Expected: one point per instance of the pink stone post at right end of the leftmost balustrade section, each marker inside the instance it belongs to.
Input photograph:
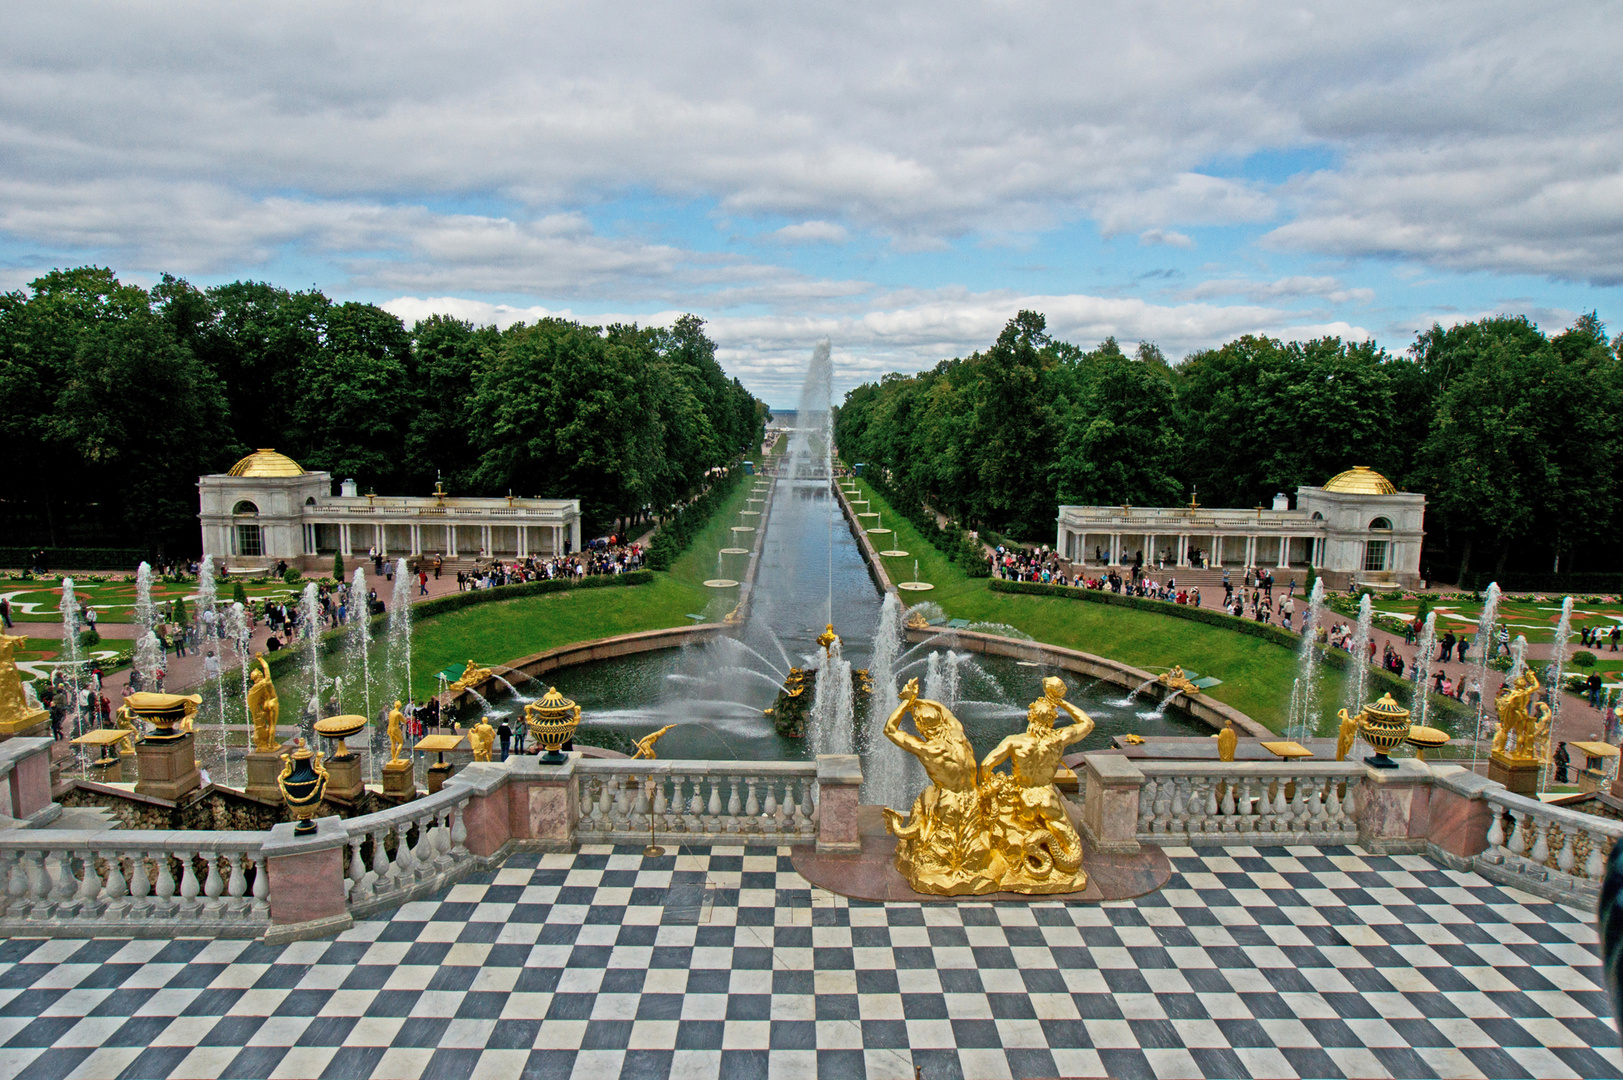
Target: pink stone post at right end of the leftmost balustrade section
(308, 883)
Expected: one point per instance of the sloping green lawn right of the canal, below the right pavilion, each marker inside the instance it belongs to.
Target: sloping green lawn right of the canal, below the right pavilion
(1257, 675)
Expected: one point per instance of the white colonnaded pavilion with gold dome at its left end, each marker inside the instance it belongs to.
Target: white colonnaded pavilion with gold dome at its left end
(270, 509)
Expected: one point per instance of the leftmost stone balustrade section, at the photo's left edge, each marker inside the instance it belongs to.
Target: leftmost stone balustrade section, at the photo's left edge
(144, 884)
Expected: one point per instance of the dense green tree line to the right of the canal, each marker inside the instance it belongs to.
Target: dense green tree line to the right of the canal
(1512, 434)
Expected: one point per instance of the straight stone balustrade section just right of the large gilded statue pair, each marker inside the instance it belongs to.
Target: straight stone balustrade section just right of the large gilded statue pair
(1225, 803)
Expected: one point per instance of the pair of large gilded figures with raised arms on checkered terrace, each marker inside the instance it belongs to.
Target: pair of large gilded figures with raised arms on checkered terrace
(976, 831)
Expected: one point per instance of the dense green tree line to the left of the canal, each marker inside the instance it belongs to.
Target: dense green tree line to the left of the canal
(116, 399)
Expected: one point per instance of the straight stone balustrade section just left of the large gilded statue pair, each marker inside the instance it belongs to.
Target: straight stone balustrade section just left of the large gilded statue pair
(756, 803)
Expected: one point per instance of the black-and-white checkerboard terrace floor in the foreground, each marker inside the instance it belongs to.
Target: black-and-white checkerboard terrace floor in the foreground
(723, 962)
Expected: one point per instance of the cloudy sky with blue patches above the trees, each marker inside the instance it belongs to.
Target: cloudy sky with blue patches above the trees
(900, 178)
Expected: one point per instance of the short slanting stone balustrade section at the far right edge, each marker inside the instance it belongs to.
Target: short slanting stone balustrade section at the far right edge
(1546, 849)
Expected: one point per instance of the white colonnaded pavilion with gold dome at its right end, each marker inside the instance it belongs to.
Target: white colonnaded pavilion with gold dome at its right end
(1354, 529)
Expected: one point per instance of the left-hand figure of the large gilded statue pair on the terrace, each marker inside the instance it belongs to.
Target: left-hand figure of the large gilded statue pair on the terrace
(945, 847)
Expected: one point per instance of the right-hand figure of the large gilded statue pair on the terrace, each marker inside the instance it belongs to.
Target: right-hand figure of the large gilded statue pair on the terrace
(1025, 811)
